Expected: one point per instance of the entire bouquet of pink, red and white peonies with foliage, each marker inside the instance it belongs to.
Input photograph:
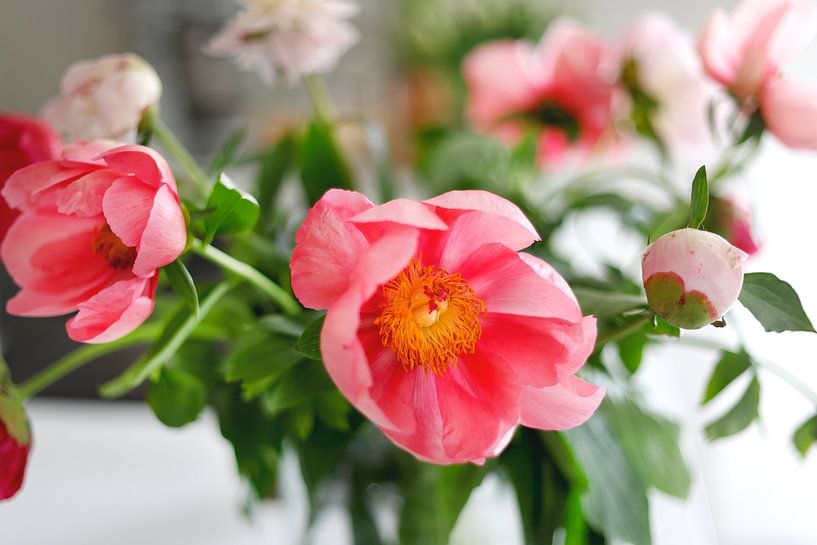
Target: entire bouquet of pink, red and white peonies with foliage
(419, 344)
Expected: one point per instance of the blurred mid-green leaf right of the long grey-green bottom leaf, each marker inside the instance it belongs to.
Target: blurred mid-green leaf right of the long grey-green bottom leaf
(651, 444)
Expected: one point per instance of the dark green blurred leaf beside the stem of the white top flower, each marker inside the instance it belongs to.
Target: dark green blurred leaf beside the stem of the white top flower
(322, 164)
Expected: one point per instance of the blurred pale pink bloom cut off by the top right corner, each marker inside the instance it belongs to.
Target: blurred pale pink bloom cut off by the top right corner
(745, 52)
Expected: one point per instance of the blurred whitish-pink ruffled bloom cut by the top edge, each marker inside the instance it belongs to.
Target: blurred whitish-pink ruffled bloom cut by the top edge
(293, 37)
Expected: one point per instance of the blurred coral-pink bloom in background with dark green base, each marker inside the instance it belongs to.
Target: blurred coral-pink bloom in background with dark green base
(562, 88)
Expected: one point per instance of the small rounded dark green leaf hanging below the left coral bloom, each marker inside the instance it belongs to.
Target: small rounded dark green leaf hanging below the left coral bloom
(176, 397)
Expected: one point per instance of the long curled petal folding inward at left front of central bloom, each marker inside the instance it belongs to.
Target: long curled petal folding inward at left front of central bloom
(343, 354)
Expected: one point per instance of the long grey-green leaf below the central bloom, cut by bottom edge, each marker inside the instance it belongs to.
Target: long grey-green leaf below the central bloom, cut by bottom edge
(615, 502)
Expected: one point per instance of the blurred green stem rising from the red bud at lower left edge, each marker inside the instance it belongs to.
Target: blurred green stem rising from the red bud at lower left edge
(82, 355)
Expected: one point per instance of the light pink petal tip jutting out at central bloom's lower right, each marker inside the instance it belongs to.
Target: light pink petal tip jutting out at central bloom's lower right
(562, 406)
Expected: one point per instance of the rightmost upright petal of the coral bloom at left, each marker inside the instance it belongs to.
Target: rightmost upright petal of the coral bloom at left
(165, 234)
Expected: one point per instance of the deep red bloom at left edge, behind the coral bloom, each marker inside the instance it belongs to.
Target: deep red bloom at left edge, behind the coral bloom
(23, 141)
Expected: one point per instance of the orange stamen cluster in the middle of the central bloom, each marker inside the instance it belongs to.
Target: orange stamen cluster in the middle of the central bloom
(429, 317)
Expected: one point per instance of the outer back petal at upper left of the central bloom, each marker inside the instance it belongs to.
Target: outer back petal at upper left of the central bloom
(327, 248)
